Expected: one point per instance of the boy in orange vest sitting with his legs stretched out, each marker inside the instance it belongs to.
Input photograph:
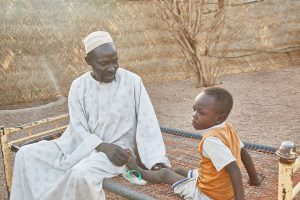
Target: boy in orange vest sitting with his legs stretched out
(221, 153)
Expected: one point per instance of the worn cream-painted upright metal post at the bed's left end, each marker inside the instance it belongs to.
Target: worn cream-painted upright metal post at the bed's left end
(5, 150)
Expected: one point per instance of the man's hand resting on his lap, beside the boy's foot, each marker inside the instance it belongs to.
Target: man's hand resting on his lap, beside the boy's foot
(117, 155)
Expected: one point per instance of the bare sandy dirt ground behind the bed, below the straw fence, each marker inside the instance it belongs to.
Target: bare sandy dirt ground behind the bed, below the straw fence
(266, 107)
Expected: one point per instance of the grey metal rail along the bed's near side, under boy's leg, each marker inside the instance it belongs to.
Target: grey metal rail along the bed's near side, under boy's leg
(123, 191)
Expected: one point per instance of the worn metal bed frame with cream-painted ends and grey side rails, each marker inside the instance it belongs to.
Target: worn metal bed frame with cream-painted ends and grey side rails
(289, 162)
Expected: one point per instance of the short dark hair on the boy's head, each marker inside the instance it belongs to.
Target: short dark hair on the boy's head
(224, 100)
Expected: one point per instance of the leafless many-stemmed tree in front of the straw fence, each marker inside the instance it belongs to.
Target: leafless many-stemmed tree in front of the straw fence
(184, 18)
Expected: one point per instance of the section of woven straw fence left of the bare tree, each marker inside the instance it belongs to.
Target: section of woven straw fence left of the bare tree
(49, 34)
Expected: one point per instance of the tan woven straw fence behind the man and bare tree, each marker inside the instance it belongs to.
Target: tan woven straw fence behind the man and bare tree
(45, 39)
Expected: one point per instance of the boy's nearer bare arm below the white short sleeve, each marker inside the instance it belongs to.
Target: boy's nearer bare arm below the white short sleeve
(236, 180)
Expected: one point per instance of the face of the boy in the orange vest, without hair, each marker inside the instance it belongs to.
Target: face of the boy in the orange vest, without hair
(205, 114)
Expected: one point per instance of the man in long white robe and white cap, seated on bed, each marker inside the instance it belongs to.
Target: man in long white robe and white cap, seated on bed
(111, 115)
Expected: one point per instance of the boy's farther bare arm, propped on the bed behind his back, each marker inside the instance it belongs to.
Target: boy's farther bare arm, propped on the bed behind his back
(255, 179)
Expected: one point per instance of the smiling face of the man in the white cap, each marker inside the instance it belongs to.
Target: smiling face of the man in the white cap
(104, 62)
